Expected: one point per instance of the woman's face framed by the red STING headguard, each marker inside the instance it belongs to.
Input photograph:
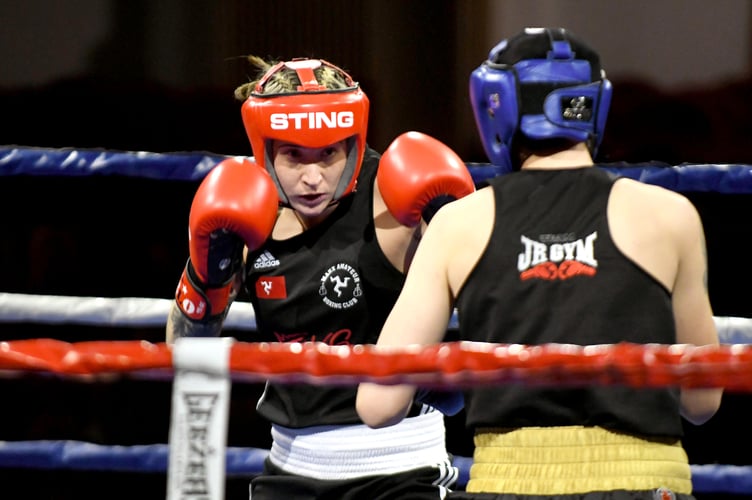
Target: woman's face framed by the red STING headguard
(309, 176)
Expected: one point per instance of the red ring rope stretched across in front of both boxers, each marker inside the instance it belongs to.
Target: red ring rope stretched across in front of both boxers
(452, 364)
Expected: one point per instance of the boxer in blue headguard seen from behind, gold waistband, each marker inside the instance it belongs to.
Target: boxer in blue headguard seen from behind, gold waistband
(559, 252)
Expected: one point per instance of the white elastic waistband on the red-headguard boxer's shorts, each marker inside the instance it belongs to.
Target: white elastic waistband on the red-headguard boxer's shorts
(350, 451)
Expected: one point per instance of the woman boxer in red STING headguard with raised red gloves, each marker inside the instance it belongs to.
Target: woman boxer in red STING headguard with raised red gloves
(320, 229)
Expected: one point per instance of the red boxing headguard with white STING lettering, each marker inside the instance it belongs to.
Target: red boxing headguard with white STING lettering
(314, 117)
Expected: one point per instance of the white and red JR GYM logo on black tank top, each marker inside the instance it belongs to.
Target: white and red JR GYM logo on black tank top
(557, 257)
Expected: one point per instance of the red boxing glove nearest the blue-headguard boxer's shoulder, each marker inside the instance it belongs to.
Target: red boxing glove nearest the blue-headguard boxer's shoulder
(418, 175)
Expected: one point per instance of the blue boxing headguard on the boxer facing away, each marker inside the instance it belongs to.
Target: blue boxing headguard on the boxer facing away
(543, 83)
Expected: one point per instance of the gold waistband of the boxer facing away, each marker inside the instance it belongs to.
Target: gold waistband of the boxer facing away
(571, 460)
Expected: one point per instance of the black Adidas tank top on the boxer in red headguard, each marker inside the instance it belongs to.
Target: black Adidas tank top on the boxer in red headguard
(330, 284)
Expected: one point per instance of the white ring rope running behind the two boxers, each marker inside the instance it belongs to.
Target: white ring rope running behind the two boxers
(151, 312)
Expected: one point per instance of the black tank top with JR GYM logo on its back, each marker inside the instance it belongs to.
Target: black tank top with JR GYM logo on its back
(552, 274)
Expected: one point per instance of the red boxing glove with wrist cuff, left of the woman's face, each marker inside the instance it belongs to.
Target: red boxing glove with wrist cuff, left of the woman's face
(235, 205)
